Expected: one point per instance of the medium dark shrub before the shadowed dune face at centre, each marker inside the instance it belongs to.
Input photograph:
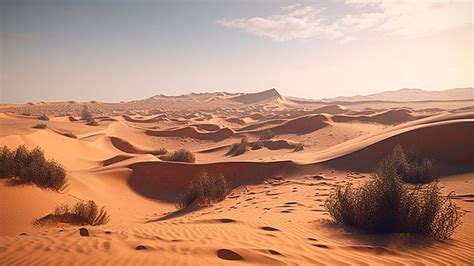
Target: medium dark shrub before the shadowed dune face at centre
(204, 191)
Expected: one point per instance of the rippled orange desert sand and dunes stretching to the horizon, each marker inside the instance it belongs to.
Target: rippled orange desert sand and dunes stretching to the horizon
(275, 213)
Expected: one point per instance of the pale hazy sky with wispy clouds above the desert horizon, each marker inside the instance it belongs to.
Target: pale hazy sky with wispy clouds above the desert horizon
(127, 50)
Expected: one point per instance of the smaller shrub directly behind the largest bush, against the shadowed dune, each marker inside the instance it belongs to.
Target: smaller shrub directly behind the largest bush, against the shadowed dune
(411, 167)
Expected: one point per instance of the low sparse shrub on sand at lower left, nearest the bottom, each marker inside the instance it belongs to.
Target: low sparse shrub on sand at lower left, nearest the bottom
(83, 213)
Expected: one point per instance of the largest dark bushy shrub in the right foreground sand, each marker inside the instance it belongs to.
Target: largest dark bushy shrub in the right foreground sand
(385, 204)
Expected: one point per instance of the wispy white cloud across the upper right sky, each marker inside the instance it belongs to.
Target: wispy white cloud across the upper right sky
(403, 18)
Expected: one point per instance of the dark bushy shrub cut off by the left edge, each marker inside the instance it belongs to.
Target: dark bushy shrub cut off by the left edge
(31, 167)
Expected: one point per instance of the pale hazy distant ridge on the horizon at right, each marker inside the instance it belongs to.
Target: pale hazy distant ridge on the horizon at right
(405, 95)
